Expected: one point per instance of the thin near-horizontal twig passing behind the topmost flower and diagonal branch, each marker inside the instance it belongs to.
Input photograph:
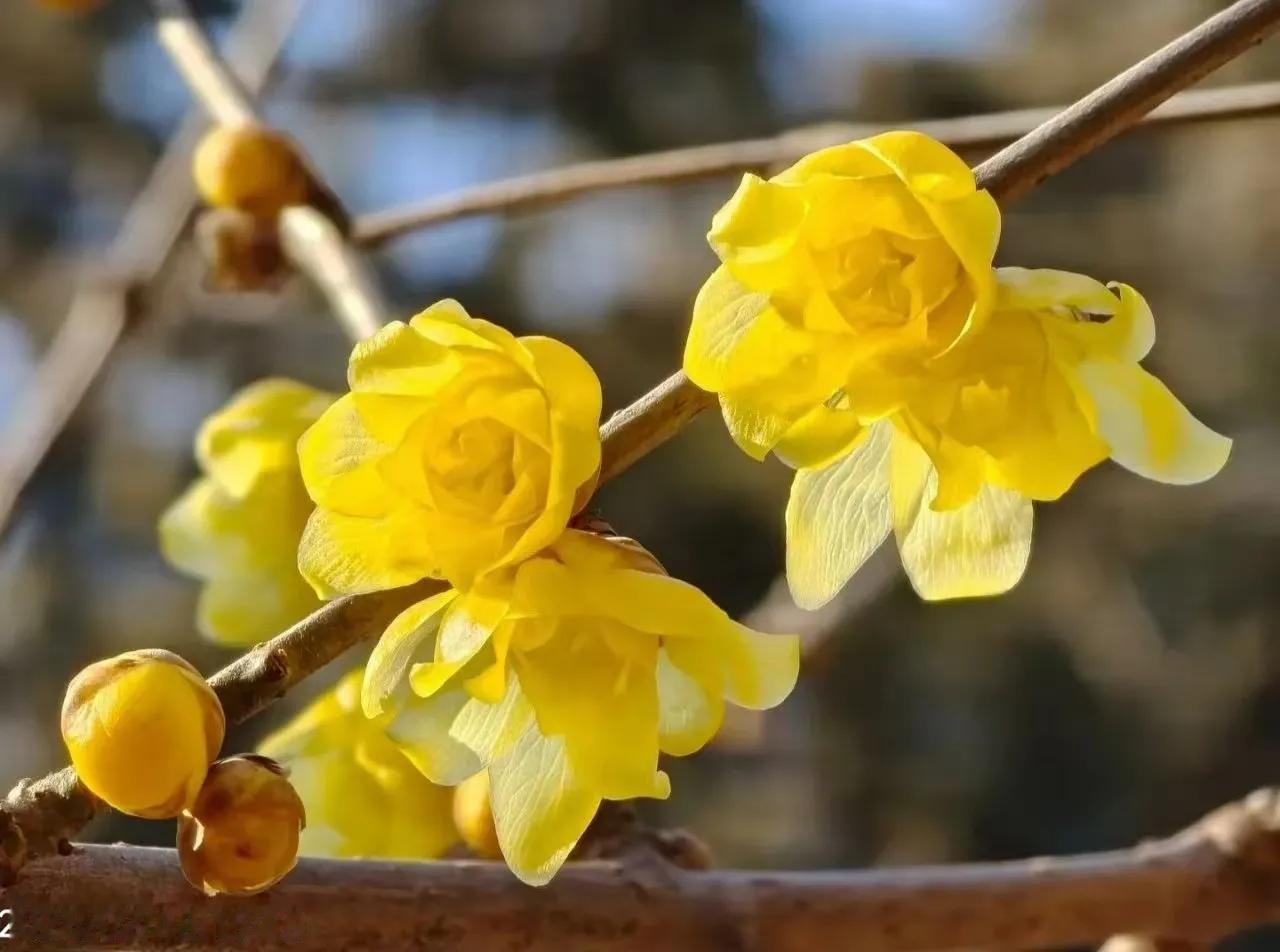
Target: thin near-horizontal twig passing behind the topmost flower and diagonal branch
(970, 134)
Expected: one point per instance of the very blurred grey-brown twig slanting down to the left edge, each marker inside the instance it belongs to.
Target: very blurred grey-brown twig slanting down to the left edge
(104, 305)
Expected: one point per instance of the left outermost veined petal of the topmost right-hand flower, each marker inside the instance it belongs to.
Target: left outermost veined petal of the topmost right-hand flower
(724, 314)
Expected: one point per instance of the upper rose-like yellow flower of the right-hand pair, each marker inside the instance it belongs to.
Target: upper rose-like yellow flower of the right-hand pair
(856, 258)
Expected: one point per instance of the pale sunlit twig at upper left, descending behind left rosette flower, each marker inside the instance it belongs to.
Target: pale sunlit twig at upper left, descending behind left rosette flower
(313, 241)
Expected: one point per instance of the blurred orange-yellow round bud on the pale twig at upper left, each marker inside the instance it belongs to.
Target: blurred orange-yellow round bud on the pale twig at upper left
(250, 168)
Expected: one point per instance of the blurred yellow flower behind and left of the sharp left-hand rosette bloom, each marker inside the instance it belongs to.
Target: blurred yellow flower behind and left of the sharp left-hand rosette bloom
(239, 527)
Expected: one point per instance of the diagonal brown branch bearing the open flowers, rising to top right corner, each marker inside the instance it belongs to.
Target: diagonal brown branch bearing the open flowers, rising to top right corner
(39, 817)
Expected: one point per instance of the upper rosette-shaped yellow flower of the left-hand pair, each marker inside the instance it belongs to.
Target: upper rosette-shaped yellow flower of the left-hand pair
(459, 450)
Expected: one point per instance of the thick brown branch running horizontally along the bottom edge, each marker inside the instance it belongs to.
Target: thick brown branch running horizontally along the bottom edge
(1209, 882)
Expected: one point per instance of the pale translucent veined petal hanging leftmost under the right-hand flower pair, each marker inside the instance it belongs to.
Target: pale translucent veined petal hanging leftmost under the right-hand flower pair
(838, 518)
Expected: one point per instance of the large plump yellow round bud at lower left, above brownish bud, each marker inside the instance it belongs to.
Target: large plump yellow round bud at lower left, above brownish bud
(141, 730)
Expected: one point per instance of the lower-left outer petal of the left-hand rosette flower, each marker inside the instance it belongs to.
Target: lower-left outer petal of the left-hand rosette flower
(348, 555)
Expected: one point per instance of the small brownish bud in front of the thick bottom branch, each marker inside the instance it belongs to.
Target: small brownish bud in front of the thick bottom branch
(241, 836)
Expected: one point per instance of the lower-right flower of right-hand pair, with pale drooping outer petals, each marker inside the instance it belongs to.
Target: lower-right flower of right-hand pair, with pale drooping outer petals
(1045, 391)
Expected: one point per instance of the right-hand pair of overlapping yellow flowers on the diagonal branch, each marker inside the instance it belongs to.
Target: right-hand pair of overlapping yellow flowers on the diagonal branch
(858, 331)
